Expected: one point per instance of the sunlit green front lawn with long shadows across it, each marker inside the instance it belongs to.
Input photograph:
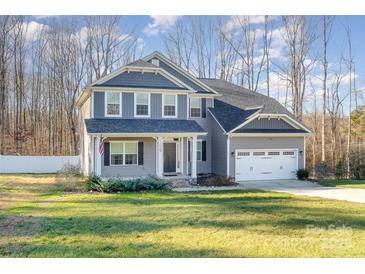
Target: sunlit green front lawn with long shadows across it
(39, 219)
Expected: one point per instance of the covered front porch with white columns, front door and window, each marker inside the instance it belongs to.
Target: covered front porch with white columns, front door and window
(142, 154)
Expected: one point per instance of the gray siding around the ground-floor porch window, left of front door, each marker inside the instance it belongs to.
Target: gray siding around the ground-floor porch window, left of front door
(148, 168)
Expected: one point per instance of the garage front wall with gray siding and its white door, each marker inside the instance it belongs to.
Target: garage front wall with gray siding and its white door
(266, 158)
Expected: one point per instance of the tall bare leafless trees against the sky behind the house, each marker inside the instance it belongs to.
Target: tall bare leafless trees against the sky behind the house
(284, 57)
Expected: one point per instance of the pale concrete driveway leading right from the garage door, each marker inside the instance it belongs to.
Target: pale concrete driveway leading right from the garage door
(304, 188)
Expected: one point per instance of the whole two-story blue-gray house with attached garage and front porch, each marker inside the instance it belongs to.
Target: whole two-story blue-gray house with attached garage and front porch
(151, 117)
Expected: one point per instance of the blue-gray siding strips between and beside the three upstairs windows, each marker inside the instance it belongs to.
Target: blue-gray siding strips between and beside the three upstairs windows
(128, 105)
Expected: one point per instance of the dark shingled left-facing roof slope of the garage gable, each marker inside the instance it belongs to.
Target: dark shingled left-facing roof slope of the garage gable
(230, 116)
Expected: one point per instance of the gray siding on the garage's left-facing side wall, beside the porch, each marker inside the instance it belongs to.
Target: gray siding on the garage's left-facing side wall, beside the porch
(219, 147)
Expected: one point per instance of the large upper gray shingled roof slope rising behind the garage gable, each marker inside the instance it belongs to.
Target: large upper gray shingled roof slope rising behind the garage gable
(243, 98)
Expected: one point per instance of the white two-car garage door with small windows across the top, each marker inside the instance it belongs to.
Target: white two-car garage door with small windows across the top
(266, 164)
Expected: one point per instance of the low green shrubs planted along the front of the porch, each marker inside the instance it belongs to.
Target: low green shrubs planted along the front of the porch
(119, 185)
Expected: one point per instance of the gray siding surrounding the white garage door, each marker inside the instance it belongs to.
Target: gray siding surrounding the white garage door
(265, 143)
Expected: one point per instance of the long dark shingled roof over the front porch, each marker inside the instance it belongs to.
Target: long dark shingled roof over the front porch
(142, 126)
